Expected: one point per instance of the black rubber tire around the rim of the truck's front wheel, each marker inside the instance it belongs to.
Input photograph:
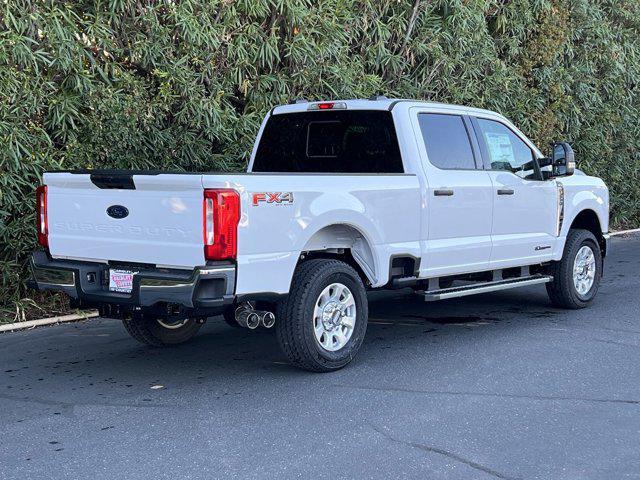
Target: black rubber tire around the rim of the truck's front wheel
(562, 290)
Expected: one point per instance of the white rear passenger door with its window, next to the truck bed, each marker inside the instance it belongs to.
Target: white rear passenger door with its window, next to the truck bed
(459, 197)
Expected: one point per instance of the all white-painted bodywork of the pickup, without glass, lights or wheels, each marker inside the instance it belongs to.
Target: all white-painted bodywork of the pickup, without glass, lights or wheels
(380, 216)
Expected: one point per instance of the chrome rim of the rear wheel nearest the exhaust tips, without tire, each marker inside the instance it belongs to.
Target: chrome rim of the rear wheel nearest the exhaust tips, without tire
(334, 317)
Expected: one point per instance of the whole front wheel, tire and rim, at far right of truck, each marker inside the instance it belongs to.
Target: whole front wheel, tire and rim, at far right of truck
(576, 277)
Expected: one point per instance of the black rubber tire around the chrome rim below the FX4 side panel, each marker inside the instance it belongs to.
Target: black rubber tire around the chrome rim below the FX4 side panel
(294, 324)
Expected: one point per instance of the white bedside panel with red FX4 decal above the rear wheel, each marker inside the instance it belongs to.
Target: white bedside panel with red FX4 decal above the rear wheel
(385, 209)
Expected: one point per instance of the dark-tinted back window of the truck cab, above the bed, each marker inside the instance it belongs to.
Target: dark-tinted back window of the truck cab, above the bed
(357, 141)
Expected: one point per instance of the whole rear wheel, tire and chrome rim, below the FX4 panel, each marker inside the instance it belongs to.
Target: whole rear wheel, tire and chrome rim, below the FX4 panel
(322, 322)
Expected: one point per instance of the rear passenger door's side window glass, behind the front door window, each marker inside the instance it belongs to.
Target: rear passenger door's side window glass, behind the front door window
(446, 140)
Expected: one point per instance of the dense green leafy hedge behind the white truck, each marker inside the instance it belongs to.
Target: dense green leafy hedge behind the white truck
(183, 84)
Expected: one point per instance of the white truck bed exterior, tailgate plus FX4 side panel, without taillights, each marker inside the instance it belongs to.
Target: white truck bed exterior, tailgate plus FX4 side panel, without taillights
(280, 213)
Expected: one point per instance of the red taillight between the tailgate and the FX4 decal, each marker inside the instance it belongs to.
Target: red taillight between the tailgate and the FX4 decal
(221, 214)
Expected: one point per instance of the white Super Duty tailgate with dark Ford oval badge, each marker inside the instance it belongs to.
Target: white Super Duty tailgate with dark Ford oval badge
(160, 224)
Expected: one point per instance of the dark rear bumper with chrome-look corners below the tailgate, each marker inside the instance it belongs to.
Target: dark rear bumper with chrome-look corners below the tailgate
(203, 288)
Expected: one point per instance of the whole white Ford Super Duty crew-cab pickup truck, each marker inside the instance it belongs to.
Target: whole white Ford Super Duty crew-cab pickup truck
(340, 197)
